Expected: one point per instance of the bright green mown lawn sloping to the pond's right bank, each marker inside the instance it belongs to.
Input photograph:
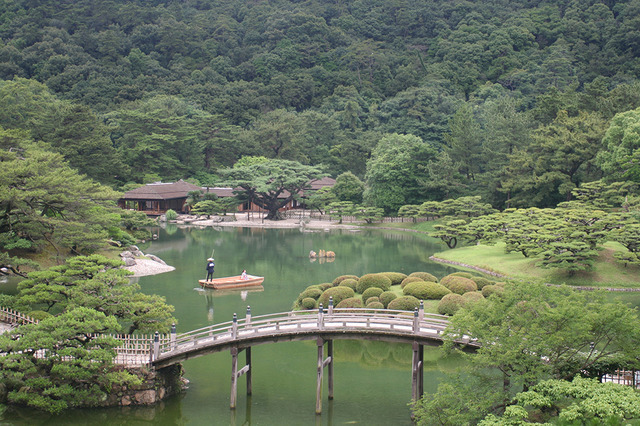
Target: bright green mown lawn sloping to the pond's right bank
(605, 273)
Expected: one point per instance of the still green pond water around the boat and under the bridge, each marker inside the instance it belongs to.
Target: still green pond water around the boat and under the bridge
(372, 383)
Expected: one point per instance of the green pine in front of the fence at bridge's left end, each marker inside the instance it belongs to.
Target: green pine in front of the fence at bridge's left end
(85, 376)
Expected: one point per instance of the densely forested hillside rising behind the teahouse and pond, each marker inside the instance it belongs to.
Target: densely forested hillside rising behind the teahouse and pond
(426, 100)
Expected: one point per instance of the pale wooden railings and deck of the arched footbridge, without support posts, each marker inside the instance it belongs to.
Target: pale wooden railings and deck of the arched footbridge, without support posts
(299, 321)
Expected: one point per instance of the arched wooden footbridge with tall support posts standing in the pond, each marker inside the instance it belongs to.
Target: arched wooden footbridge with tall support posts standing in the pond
(324, 326)
